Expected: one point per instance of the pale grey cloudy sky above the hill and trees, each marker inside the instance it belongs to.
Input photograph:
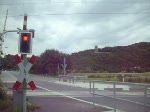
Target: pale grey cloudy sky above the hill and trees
(76, 25)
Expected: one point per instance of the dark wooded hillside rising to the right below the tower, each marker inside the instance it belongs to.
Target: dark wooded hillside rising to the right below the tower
(132, 58)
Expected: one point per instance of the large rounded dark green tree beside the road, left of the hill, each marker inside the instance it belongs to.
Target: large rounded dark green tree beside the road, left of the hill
(48, 62)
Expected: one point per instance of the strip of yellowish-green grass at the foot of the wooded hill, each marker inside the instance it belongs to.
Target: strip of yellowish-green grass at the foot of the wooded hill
(129, 77)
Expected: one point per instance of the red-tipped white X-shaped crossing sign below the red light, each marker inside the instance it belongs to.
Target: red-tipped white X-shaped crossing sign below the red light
(24, 72)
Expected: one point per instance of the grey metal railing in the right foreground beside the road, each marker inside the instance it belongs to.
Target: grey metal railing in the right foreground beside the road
(130, 92)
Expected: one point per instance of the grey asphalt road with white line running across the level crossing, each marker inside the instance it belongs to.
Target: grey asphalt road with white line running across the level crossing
(63, 97)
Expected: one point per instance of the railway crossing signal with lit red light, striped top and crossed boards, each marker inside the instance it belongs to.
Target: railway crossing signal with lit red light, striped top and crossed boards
(24, 48)
